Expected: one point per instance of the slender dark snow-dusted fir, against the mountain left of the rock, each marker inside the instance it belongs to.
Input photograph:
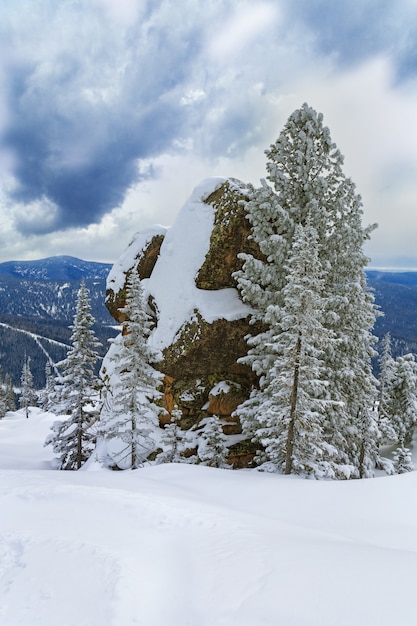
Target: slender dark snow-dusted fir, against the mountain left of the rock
(73, 439)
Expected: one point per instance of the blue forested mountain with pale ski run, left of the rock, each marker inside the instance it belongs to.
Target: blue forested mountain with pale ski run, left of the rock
(37, 306)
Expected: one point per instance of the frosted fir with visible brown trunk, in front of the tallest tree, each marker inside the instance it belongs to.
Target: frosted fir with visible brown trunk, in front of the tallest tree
(293, 396)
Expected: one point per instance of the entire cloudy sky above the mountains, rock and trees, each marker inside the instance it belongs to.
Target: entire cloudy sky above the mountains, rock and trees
(111, 113)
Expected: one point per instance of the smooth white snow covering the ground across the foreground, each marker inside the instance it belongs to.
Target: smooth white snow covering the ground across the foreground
(179, 545)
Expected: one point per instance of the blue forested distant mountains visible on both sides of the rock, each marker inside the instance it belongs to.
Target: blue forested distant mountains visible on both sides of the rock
(39, 298)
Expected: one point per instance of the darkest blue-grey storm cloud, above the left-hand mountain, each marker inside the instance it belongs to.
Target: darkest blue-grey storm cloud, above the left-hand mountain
(85, 161)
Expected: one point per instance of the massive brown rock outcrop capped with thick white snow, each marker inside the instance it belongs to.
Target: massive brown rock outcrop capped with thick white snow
(200, 322)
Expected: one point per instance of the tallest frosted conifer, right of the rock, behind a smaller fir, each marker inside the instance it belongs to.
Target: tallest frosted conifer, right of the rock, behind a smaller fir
(305, 170)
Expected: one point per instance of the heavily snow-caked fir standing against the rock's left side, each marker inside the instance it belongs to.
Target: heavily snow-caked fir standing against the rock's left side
(130, 413)
